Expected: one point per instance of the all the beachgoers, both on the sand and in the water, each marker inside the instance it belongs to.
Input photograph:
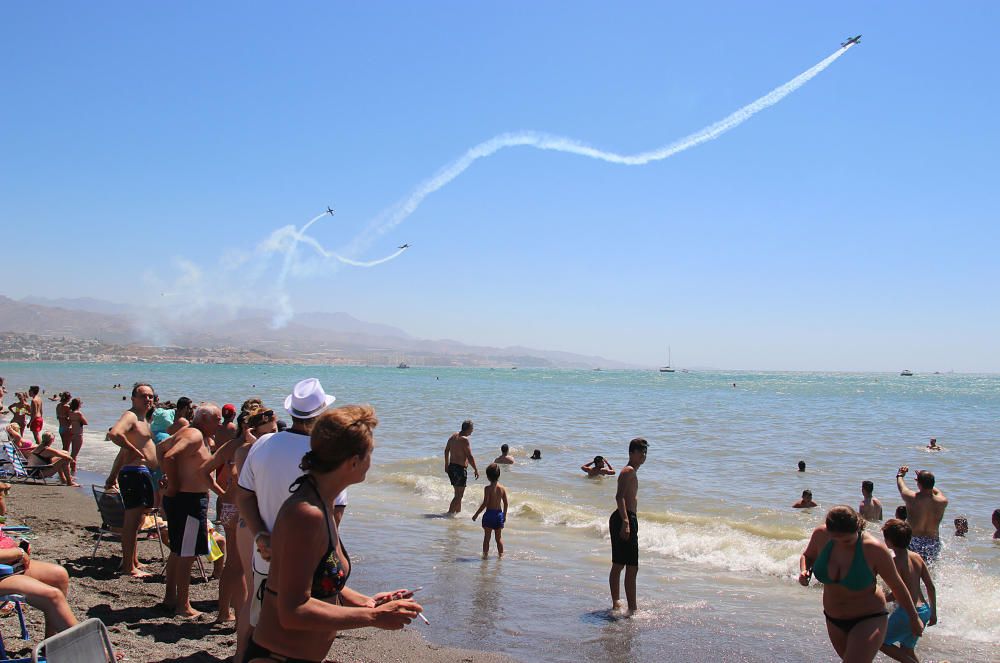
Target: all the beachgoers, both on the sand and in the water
(279, 492)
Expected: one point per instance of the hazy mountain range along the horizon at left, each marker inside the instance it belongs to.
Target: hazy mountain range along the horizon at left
(309, 336)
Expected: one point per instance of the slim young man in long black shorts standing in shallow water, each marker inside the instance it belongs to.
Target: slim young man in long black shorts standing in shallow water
(624, 528)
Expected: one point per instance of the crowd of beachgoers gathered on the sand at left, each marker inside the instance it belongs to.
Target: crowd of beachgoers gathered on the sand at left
(287, 593)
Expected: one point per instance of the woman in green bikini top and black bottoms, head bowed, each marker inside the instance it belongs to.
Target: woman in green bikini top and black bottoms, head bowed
(846, 561)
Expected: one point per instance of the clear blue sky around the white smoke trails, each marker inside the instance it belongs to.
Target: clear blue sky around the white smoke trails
(852, 226)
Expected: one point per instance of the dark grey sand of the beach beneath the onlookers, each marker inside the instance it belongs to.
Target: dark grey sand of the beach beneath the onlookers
(64, 523)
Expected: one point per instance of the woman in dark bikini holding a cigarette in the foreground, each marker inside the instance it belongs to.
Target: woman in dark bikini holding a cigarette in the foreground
(306, 598)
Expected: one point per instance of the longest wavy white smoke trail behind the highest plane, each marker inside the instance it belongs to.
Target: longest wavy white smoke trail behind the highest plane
(399, 212)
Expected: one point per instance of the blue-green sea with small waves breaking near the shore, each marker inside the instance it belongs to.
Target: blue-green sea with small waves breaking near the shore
(718, 540)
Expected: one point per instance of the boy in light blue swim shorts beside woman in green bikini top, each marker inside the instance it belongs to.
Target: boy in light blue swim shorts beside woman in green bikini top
(900, 641)
